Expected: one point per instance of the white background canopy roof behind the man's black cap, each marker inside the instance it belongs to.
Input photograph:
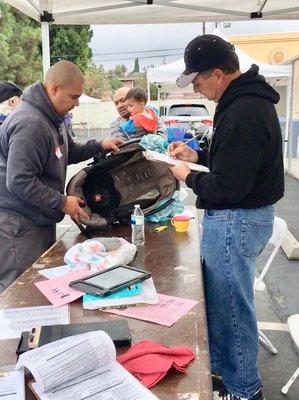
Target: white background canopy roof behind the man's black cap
(170, 72)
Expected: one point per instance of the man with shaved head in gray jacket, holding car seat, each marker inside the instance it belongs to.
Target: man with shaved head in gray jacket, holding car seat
(35, 150)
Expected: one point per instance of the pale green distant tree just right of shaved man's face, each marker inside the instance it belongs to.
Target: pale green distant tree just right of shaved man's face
(96, 83)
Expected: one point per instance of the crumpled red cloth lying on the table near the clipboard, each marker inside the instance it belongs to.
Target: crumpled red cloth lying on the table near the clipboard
(150, 361)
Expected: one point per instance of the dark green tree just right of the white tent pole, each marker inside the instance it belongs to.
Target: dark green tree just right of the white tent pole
(70, 42)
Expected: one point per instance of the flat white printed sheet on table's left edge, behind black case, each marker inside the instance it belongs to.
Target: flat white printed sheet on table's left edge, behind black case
(14, 321)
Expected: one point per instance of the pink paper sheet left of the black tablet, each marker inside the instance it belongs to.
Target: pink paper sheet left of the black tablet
(58, 291)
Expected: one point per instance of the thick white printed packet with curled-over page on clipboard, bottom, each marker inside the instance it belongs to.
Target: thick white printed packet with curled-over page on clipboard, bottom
(81, 367)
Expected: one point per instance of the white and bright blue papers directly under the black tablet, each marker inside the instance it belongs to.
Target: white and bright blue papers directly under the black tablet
(143, 293)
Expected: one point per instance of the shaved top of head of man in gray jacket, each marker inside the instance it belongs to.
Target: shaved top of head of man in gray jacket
(64, 73)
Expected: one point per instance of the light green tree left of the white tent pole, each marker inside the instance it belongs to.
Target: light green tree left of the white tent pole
(19, 47)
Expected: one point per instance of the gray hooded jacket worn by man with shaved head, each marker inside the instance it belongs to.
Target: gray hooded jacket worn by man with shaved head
(35, 150)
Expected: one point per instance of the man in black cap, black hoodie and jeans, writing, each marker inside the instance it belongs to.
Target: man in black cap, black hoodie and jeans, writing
(246, 178)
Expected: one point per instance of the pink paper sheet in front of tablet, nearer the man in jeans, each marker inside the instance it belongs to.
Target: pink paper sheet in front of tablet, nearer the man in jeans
(168, 311)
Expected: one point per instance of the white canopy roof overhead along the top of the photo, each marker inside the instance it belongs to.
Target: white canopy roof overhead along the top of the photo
(161, 11)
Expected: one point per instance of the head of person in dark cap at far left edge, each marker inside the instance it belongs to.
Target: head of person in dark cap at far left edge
(10, 98)
